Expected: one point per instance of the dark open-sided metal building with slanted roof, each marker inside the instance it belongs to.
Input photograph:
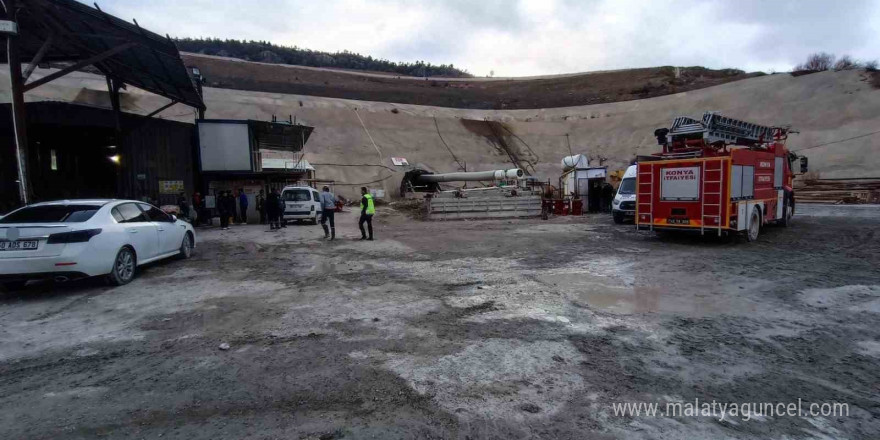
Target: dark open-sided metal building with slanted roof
(65, 149)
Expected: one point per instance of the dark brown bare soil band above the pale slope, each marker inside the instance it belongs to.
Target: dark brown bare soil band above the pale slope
(552, 91)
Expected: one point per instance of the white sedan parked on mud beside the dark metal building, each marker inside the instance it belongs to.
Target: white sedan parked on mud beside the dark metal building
(70, 239)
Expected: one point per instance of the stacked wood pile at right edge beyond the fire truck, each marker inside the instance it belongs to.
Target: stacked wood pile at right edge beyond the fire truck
(838, 191)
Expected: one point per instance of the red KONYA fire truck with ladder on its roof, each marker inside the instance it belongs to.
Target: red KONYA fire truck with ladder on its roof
(717, 175)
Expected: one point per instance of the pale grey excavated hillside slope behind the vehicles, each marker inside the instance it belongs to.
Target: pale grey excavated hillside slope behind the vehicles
(824, 107)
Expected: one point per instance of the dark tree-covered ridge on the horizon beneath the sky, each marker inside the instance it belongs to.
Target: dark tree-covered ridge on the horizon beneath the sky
(266, 52)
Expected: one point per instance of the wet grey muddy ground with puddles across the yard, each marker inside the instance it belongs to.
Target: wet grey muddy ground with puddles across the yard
(466, 329)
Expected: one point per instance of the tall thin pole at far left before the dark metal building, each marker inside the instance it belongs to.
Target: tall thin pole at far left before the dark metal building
(19, 123)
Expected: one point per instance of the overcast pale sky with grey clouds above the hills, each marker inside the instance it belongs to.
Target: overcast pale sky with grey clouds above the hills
(517, 38)
